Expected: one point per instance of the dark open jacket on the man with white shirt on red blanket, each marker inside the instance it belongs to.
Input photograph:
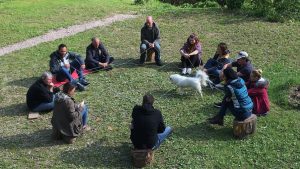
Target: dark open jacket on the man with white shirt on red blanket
(55, 60)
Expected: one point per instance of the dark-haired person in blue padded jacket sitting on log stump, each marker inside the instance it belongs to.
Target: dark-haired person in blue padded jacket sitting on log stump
(236, 99)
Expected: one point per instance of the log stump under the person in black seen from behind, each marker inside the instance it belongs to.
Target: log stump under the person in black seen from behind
(141, 158)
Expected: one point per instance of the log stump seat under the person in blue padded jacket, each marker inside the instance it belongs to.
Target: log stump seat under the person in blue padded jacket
(243, 128)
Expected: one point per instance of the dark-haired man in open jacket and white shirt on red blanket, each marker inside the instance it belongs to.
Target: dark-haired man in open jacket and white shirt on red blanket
(63, 63)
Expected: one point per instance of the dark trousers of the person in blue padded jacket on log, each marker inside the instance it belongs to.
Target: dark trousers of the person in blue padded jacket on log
(239, 114)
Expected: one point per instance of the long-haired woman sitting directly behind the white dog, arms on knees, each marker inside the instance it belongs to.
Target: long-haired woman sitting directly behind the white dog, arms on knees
(191, 54)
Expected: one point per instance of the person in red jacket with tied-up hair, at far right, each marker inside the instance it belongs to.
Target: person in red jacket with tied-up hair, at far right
(258, 92)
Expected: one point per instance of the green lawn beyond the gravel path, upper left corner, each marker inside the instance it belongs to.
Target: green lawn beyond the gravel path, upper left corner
(20, 19)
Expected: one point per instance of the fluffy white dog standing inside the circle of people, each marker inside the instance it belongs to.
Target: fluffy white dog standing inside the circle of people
(200, 78)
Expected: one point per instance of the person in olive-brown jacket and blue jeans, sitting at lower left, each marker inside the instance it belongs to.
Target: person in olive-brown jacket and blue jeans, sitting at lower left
(69, 118)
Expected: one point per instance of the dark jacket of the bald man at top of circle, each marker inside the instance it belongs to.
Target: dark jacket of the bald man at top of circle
(150, 35)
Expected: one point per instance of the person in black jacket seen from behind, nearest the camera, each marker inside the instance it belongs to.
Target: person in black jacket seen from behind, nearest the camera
(148, 130)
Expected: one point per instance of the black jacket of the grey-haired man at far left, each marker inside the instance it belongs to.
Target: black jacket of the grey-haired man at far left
(38, 93)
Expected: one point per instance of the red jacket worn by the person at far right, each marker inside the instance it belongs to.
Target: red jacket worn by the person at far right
(259, 95)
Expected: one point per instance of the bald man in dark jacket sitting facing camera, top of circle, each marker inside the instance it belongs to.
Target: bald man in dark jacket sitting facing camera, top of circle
(150, 40)
